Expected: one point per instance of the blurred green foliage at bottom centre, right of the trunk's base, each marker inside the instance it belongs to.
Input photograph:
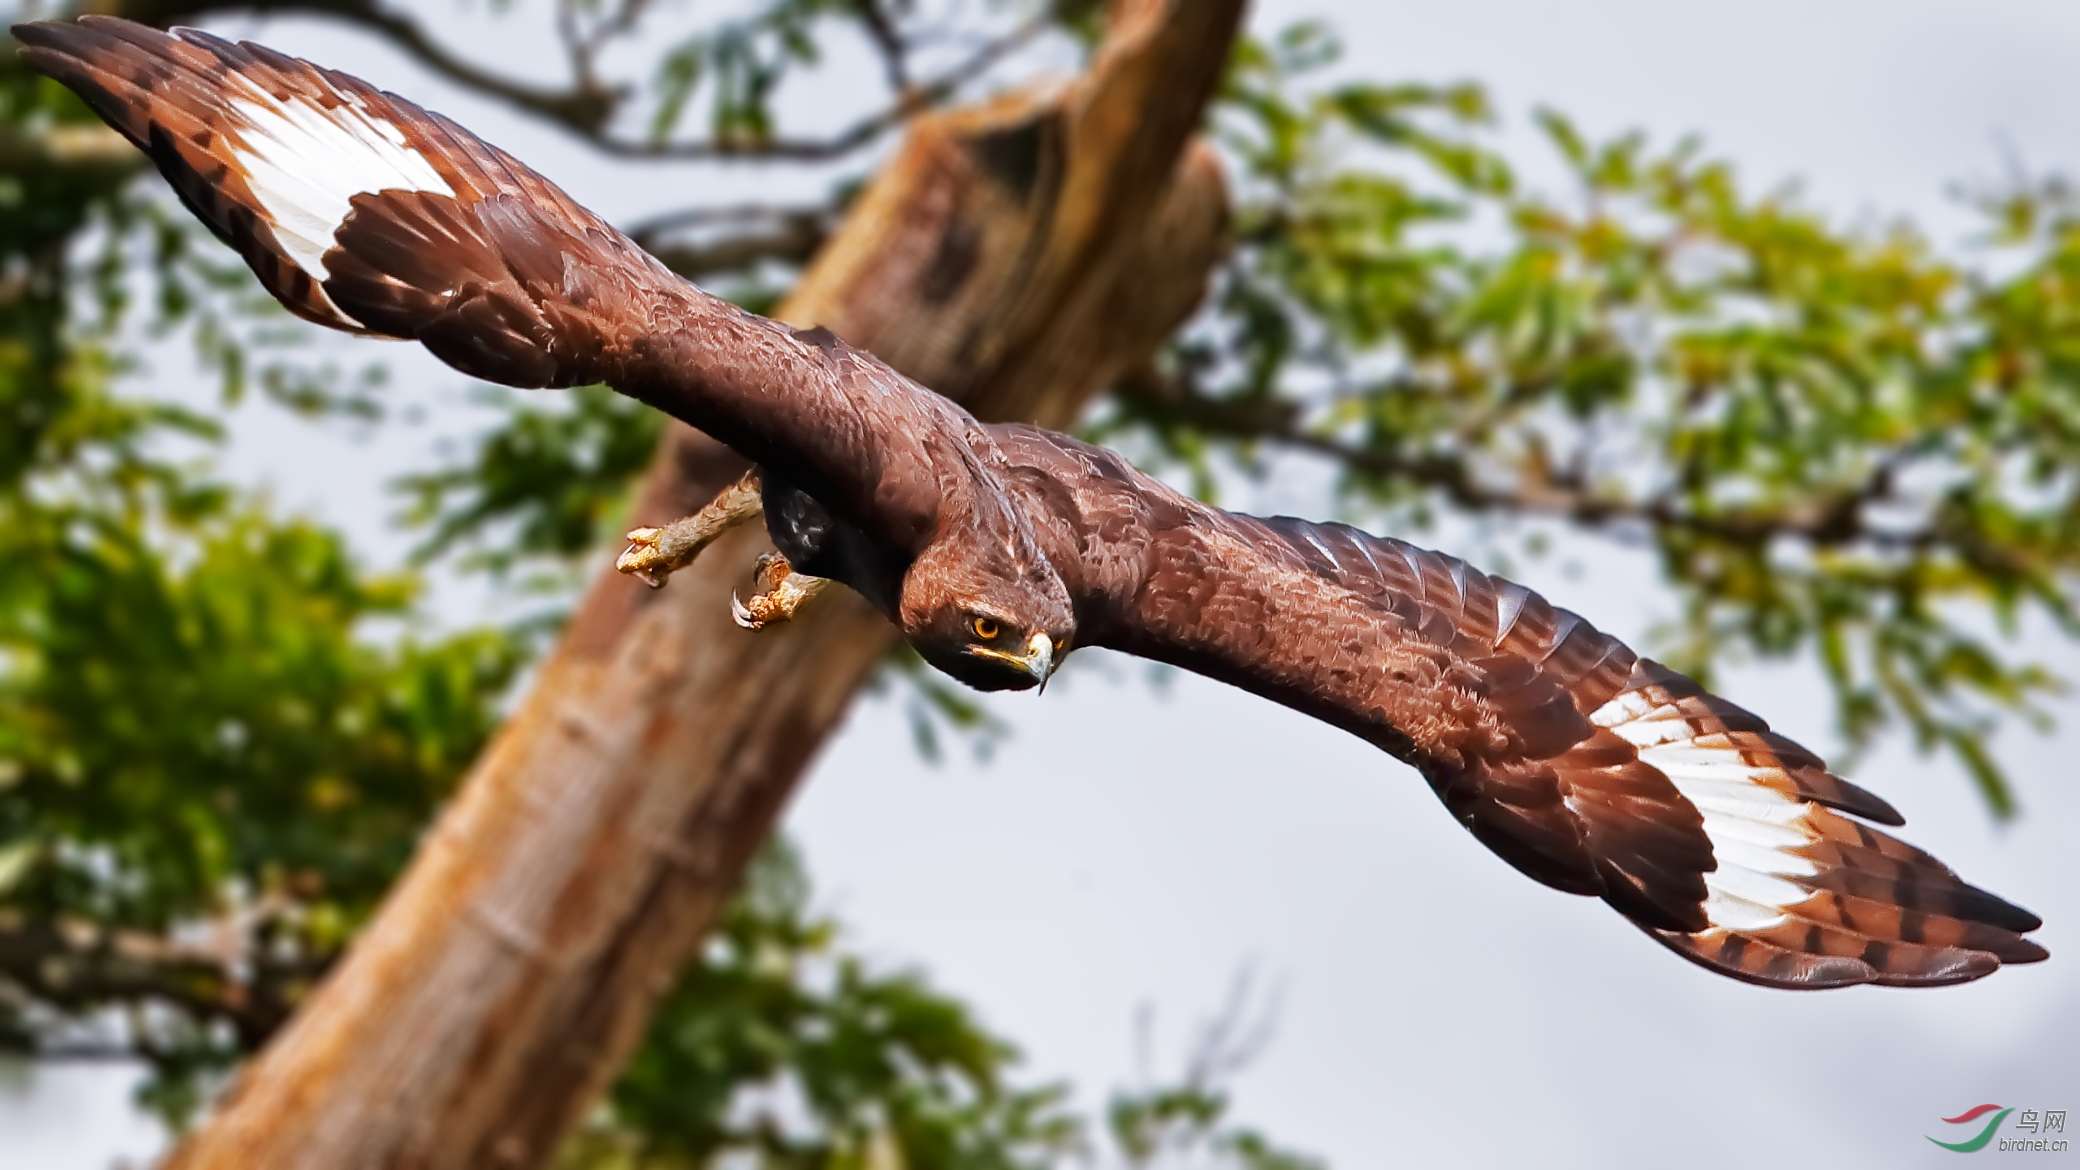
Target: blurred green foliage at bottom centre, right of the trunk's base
(846, 1067)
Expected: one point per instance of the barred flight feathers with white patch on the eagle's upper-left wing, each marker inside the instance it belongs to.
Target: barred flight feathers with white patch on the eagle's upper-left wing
(274, 153)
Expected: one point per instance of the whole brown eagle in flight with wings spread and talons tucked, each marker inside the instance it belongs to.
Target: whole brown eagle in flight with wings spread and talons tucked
(997, 549)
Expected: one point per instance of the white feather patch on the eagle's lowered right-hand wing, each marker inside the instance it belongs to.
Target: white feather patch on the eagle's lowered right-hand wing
(1752, 825)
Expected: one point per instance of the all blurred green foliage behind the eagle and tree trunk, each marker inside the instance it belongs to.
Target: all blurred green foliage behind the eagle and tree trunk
(222, 736)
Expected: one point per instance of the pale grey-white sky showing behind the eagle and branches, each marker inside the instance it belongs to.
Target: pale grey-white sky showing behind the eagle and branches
(1135, 848)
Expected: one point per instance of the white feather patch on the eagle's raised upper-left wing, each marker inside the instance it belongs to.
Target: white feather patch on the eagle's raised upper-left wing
(305, 163)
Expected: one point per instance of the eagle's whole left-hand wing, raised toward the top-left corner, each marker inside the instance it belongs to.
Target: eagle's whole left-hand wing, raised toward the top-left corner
(367, 213)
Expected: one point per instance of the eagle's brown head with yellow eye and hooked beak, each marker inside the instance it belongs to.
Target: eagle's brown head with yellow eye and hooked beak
(995, 615)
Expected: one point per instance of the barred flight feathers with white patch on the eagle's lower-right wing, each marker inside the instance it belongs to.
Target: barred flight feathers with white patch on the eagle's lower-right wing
(1796, 888)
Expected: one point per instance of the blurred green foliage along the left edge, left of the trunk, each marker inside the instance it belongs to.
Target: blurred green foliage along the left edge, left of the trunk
(194, 728)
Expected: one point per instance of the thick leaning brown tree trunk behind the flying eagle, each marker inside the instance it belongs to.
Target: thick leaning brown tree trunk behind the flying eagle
(1014, 257)
